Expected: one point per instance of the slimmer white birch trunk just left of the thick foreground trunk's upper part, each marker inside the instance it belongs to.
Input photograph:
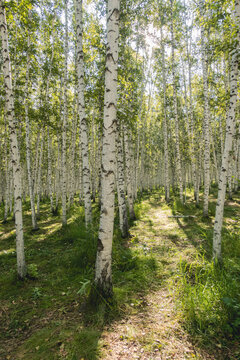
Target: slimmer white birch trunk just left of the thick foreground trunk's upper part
(86, 175)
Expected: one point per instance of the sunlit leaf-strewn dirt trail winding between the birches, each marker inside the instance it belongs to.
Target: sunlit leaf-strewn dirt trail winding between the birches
(155, 331)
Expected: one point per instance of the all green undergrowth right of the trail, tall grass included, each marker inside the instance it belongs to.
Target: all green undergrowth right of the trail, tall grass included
(209, 295)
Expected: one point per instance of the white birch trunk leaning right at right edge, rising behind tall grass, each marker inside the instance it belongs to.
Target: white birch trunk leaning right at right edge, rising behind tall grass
(230, 128)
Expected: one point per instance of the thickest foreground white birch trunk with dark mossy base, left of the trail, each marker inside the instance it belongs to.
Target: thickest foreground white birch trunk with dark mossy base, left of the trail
(103, 273)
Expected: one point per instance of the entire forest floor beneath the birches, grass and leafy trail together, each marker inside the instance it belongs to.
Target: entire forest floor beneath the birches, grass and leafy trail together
(169, 299)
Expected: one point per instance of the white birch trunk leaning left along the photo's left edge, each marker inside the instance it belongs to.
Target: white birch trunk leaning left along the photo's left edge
(15, 156)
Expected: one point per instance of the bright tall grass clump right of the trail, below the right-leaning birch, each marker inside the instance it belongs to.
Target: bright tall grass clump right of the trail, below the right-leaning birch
(210, 298)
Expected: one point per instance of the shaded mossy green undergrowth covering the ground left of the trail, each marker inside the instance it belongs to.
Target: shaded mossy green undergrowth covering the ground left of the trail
(45, 316)
